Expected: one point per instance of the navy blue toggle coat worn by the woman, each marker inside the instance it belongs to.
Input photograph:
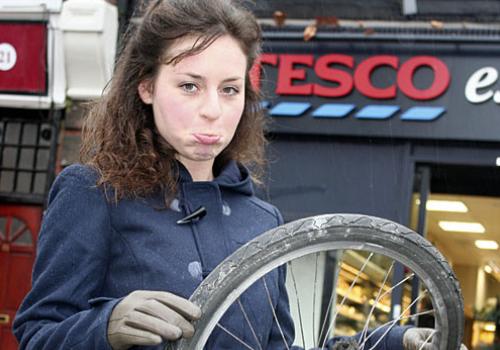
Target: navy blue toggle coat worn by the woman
(91, 253)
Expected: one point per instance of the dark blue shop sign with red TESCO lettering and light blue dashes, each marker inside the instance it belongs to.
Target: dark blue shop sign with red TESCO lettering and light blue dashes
(375, 89)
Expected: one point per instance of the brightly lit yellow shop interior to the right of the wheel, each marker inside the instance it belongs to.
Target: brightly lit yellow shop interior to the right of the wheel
(465, 229)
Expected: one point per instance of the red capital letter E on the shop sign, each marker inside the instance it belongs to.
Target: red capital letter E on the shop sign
(287, 74)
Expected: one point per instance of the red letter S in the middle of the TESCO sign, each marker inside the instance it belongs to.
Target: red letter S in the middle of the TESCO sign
(342, 78)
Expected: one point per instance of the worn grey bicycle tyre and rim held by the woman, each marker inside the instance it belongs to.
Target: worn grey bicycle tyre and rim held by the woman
(320, 239)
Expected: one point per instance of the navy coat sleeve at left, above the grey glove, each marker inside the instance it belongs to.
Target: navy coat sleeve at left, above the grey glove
(61, 311)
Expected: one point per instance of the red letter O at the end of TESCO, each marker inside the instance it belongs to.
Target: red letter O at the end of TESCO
(439, 85)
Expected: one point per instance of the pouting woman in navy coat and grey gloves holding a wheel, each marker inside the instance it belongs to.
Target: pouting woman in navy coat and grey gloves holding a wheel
(163, 195)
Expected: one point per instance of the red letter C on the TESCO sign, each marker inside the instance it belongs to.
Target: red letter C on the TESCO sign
(364, 71)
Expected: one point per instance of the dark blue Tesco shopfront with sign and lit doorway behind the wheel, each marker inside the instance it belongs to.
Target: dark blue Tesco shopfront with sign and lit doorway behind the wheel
(379, 123)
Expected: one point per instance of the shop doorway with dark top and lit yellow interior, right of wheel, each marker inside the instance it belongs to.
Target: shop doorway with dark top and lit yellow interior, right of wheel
(456, 208)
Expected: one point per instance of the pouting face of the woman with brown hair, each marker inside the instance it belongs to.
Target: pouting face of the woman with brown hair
(198, 102)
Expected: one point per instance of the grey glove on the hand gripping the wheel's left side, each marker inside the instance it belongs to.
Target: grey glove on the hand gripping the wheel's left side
(149, 318)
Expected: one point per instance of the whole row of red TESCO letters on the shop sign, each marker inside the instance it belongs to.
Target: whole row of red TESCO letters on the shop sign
(292, 78)
